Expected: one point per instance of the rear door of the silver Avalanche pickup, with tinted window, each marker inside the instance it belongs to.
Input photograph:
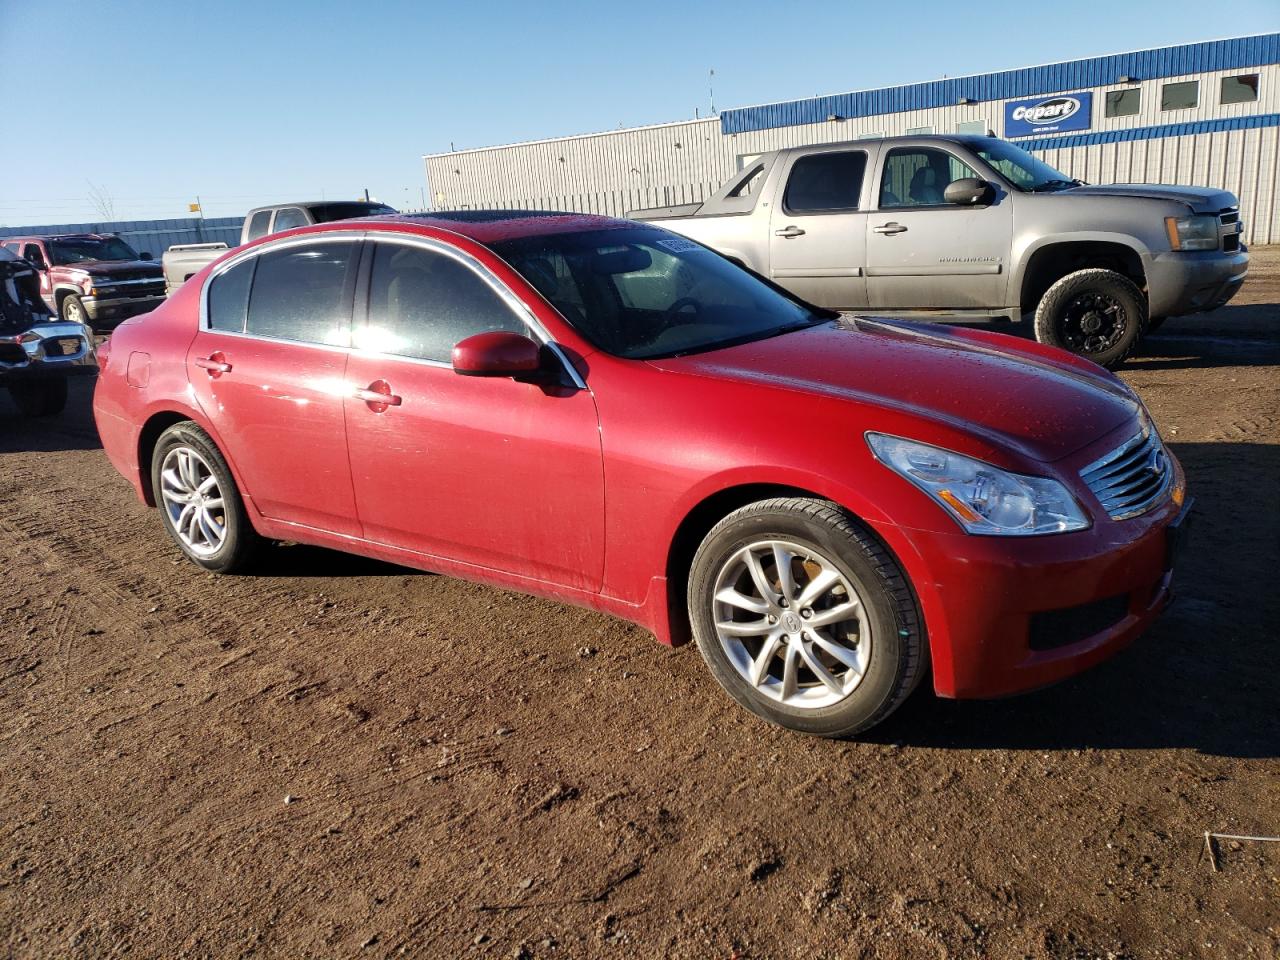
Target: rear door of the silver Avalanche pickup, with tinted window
(819, 228)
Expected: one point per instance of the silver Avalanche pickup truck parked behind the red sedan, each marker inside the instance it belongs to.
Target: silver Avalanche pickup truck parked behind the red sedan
(973, 227)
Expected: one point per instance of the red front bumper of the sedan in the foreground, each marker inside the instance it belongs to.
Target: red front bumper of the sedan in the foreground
(1011, 615)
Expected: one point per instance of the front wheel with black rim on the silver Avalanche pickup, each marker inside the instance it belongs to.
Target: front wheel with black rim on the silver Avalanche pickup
(1095, 314)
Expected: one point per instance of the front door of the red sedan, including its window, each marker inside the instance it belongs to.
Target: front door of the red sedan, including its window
(487, 472)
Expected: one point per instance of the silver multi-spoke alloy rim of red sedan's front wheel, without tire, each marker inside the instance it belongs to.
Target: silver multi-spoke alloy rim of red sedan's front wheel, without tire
(792, 624)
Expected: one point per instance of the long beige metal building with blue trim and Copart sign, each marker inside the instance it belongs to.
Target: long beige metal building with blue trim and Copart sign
(1199, 115)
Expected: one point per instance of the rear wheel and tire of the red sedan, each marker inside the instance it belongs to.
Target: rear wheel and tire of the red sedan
(200, 505)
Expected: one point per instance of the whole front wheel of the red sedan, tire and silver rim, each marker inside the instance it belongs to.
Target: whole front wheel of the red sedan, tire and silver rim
(804, 619)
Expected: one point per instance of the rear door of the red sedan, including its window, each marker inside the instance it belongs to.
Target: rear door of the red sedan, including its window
(267, 368)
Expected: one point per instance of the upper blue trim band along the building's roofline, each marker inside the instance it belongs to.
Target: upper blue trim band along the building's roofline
(1008, 85)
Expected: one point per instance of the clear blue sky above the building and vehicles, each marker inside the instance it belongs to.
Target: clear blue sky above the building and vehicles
(154, 103)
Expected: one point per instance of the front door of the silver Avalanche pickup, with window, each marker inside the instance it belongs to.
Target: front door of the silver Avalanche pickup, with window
(924, 253)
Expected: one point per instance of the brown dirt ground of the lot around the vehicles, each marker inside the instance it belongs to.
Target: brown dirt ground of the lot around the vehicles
(345, 758)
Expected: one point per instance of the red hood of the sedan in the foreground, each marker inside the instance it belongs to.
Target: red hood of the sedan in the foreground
(991, 387)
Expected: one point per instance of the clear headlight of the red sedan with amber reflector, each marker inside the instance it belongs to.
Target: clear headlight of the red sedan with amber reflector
(981, 497)
